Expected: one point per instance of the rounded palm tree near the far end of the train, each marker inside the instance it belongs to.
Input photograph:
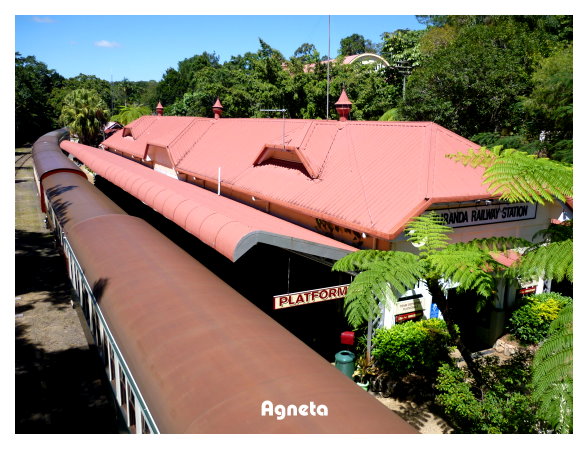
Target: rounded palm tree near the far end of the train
(85, 114)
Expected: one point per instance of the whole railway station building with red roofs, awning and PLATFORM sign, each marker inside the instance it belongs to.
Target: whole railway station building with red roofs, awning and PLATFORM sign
(277, 201)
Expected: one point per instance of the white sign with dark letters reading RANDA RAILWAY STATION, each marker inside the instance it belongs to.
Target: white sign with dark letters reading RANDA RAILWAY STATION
(487, 214)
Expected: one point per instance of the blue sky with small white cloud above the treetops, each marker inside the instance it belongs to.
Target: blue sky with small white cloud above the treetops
(143, 47)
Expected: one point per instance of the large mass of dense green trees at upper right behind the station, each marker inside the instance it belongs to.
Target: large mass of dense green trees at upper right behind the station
(497, 76)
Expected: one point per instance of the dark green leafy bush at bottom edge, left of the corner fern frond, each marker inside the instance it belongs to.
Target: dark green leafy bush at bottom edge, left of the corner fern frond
(506, 405)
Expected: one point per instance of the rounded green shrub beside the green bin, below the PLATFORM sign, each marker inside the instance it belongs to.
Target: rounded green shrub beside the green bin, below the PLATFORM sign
(411, 347)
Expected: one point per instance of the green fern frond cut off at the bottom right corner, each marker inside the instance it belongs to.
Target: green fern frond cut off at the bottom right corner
(553, 374)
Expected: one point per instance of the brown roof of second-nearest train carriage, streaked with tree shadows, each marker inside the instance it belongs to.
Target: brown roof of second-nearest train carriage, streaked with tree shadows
(74, 199)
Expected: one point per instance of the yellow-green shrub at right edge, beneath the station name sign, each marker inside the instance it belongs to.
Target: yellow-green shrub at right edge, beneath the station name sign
(530, 323)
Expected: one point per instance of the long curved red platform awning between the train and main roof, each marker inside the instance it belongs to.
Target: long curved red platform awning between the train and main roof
(230, 227)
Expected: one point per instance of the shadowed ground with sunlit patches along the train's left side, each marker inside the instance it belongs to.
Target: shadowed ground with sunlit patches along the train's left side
(60, 385)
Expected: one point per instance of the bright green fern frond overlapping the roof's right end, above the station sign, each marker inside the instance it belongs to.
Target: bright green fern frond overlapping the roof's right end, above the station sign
(520, 177)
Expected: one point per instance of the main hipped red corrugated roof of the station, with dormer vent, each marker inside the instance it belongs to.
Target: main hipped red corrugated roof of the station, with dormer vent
(370, 176)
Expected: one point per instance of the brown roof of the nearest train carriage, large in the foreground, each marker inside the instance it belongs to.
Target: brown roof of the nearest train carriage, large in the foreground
(203, 356)
